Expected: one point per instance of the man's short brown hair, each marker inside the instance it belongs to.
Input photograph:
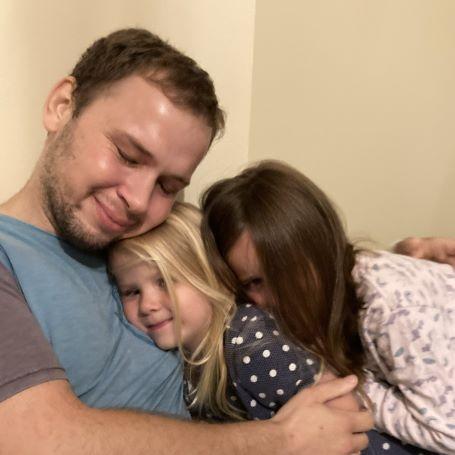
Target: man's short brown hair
(138, 51)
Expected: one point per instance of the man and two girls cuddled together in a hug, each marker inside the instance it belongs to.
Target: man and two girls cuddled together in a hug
(123, 312)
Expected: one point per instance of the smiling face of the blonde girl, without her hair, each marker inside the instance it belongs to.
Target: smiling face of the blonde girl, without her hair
(148, 306)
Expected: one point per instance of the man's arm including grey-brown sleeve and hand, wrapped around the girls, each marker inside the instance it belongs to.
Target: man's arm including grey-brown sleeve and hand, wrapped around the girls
(40, 414)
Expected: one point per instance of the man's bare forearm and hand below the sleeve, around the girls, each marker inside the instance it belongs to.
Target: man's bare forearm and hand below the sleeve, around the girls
(48, 419)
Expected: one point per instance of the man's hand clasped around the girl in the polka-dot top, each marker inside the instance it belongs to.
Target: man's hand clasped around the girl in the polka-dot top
(312, 427)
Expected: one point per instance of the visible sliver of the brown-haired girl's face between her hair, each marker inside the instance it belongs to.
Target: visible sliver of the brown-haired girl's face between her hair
(244, 261)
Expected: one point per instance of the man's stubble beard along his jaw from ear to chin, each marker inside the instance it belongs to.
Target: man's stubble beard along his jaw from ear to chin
(61, 213)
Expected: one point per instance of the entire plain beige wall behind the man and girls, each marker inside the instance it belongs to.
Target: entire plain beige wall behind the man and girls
(359, 94)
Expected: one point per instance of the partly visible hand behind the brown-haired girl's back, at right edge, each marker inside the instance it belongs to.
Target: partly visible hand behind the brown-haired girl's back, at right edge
(432, 248)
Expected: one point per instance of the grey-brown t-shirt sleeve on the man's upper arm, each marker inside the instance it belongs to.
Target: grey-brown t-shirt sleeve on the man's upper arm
(26, 357)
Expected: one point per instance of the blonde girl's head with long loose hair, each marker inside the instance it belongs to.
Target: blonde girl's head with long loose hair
(169, 291)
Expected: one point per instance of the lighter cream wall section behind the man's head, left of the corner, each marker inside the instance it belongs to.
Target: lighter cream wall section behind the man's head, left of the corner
(42, 40)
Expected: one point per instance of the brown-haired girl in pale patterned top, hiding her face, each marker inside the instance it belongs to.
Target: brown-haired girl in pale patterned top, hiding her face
(275, 238)
